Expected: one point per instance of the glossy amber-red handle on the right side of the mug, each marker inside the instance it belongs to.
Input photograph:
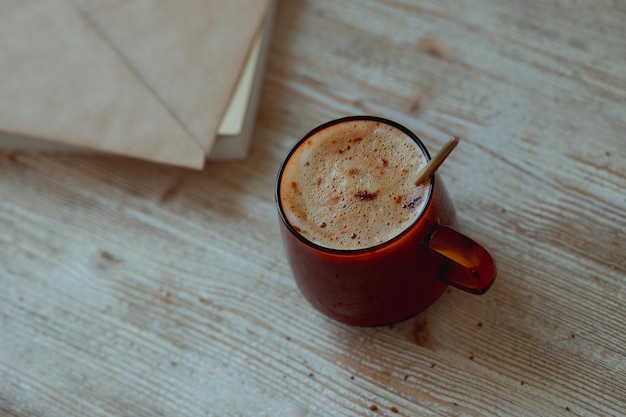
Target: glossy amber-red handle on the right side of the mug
(468, 265)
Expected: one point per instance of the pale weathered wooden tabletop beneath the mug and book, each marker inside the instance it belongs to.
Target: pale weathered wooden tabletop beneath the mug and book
(135, 289)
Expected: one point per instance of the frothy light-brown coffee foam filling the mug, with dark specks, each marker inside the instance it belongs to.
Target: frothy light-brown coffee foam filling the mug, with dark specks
(352, 185)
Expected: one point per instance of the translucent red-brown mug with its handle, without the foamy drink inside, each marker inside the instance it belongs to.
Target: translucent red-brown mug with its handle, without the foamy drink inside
(394, 280)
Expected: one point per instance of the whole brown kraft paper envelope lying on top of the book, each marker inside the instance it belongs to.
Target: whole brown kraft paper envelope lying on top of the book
(149, 79)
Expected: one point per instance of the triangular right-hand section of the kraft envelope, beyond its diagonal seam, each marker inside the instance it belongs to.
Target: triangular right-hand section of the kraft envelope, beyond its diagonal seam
(190, 53)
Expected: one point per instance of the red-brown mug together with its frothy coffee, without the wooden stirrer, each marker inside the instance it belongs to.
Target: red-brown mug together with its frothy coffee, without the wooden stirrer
(367, 244)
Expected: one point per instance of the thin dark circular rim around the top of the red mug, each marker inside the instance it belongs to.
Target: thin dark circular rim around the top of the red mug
(323, 126)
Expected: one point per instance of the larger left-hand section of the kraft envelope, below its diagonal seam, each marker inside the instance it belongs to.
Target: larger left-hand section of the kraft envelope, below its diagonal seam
(60, 81)
